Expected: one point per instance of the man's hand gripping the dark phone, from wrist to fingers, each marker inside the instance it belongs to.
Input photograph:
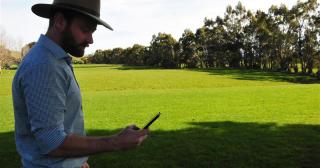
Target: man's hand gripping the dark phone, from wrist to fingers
(130, 137)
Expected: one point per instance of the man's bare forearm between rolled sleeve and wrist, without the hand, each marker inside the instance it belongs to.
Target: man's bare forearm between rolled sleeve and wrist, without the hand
(77, 146)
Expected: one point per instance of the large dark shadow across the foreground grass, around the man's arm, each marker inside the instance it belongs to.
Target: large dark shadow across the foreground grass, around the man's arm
(209, 144)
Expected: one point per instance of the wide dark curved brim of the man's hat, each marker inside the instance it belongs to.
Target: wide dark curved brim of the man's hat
(47, 10)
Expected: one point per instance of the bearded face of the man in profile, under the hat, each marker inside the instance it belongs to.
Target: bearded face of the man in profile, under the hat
(77, 35)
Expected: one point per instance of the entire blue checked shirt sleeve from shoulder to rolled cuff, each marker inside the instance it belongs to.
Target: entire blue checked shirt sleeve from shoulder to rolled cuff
(45, 89)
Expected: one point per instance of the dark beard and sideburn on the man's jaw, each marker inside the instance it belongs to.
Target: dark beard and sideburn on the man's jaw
(70, 45)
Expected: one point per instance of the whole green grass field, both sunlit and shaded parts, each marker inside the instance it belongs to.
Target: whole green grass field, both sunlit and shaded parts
(210, 118)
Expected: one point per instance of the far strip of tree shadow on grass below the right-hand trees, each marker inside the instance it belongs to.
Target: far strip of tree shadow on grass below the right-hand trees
(259, 75)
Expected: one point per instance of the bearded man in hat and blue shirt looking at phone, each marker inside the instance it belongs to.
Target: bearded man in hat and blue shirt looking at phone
(49, 129)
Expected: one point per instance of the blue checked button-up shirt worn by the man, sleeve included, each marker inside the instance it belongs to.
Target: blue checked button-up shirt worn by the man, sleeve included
(47, 105)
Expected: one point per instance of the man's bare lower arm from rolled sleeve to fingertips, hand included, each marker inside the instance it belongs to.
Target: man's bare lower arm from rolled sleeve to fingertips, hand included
(76, 146)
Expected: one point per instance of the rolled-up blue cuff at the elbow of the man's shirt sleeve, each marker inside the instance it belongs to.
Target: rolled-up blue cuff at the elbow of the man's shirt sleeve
(50, 138)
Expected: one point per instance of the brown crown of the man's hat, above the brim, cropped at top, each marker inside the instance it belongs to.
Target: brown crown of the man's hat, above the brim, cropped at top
(92, 6)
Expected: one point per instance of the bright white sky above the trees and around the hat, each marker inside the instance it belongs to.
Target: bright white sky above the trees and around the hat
(133, 21)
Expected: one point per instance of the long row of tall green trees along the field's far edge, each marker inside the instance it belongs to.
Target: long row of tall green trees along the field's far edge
(281, 39)
